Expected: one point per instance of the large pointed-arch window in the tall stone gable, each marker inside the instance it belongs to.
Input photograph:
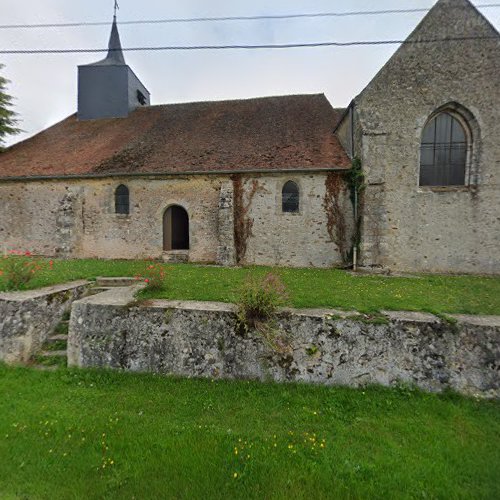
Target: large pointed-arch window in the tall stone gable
(443, 151)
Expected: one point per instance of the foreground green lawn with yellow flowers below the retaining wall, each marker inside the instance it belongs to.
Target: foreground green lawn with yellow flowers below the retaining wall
(91, 434)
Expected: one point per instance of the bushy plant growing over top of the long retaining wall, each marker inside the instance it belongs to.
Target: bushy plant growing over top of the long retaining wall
(259, 300)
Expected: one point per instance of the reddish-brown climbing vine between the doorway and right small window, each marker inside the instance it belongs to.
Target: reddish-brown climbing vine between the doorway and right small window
(242, 222)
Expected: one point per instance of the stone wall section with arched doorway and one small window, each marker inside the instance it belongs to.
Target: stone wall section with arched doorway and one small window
(76, 218)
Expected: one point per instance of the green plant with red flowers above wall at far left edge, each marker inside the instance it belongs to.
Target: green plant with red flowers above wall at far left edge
(18, 269)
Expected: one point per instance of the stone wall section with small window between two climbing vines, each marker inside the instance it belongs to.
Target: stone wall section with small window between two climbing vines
(295, 239)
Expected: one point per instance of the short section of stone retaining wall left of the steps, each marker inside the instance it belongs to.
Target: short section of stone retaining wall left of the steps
(28, 318)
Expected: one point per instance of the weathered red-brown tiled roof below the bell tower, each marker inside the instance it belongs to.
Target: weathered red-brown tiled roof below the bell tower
(271, 133)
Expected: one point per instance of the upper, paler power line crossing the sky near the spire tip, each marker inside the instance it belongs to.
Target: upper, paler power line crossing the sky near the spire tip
(235, 18)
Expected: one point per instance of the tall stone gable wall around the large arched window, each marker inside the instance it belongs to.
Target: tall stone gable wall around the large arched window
(407, 227)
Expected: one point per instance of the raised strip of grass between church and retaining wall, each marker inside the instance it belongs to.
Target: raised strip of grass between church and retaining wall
(332, 288)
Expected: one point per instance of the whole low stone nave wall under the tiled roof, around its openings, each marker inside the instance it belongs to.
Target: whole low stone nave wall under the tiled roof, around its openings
(76, 218)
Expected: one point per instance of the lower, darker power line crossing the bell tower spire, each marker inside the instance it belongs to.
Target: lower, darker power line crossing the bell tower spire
(253, 47)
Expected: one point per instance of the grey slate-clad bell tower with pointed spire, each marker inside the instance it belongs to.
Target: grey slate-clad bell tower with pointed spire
(109, 88)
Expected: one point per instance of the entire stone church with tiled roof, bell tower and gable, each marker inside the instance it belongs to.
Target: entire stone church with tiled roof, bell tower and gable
(269, 181)
